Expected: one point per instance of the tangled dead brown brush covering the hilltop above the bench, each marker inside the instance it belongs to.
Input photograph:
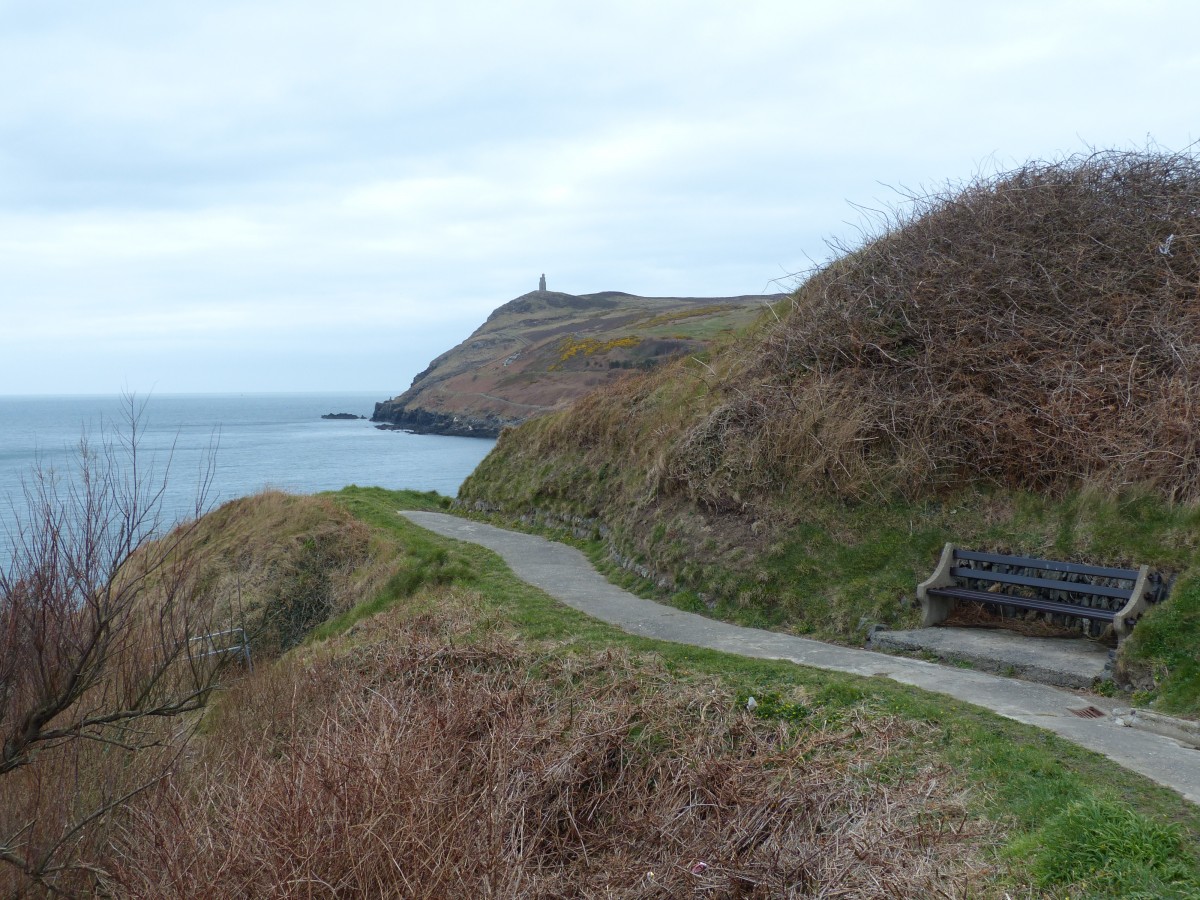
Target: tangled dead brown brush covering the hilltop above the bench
(1035, 331)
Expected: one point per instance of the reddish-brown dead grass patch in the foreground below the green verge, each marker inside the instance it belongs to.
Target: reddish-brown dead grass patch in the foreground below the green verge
(416, 764)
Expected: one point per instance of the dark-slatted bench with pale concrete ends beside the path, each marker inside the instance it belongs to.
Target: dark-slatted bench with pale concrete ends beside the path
(1096, 593)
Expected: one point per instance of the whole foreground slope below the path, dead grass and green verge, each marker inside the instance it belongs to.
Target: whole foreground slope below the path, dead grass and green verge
(609, 765)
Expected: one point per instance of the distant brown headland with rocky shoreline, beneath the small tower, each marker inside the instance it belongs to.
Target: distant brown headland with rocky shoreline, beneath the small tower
(544, 350)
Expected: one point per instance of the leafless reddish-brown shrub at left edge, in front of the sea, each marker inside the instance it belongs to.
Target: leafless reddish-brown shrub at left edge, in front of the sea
(99, 608)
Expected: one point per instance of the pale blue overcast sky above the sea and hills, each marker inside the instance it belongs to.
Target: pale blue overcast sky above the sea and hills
(305, 196)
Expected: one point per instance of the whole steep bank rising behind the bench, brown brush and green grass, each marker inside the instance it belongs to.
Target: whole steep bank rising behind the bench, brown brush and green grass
(1011, 365)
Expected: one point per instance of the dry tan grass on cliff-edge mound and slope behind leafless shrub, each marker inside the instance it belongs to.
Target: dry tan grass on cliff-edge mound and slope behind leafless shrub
(273, 563)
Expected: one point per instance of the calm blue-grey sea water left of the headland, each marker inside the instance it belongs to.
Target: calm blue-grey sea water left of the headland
(261, 441)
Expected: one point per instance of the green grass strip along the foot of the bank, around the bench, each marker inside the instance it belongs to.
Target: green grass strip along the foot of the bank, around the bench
(832, 569)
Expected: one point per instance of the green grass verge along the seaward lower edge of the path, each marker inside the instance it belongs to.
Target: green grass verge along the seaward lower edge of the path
(1055, 796)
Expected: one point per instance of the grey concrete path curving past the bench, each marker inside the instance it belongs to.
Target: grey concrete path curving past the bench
(567, 575)
